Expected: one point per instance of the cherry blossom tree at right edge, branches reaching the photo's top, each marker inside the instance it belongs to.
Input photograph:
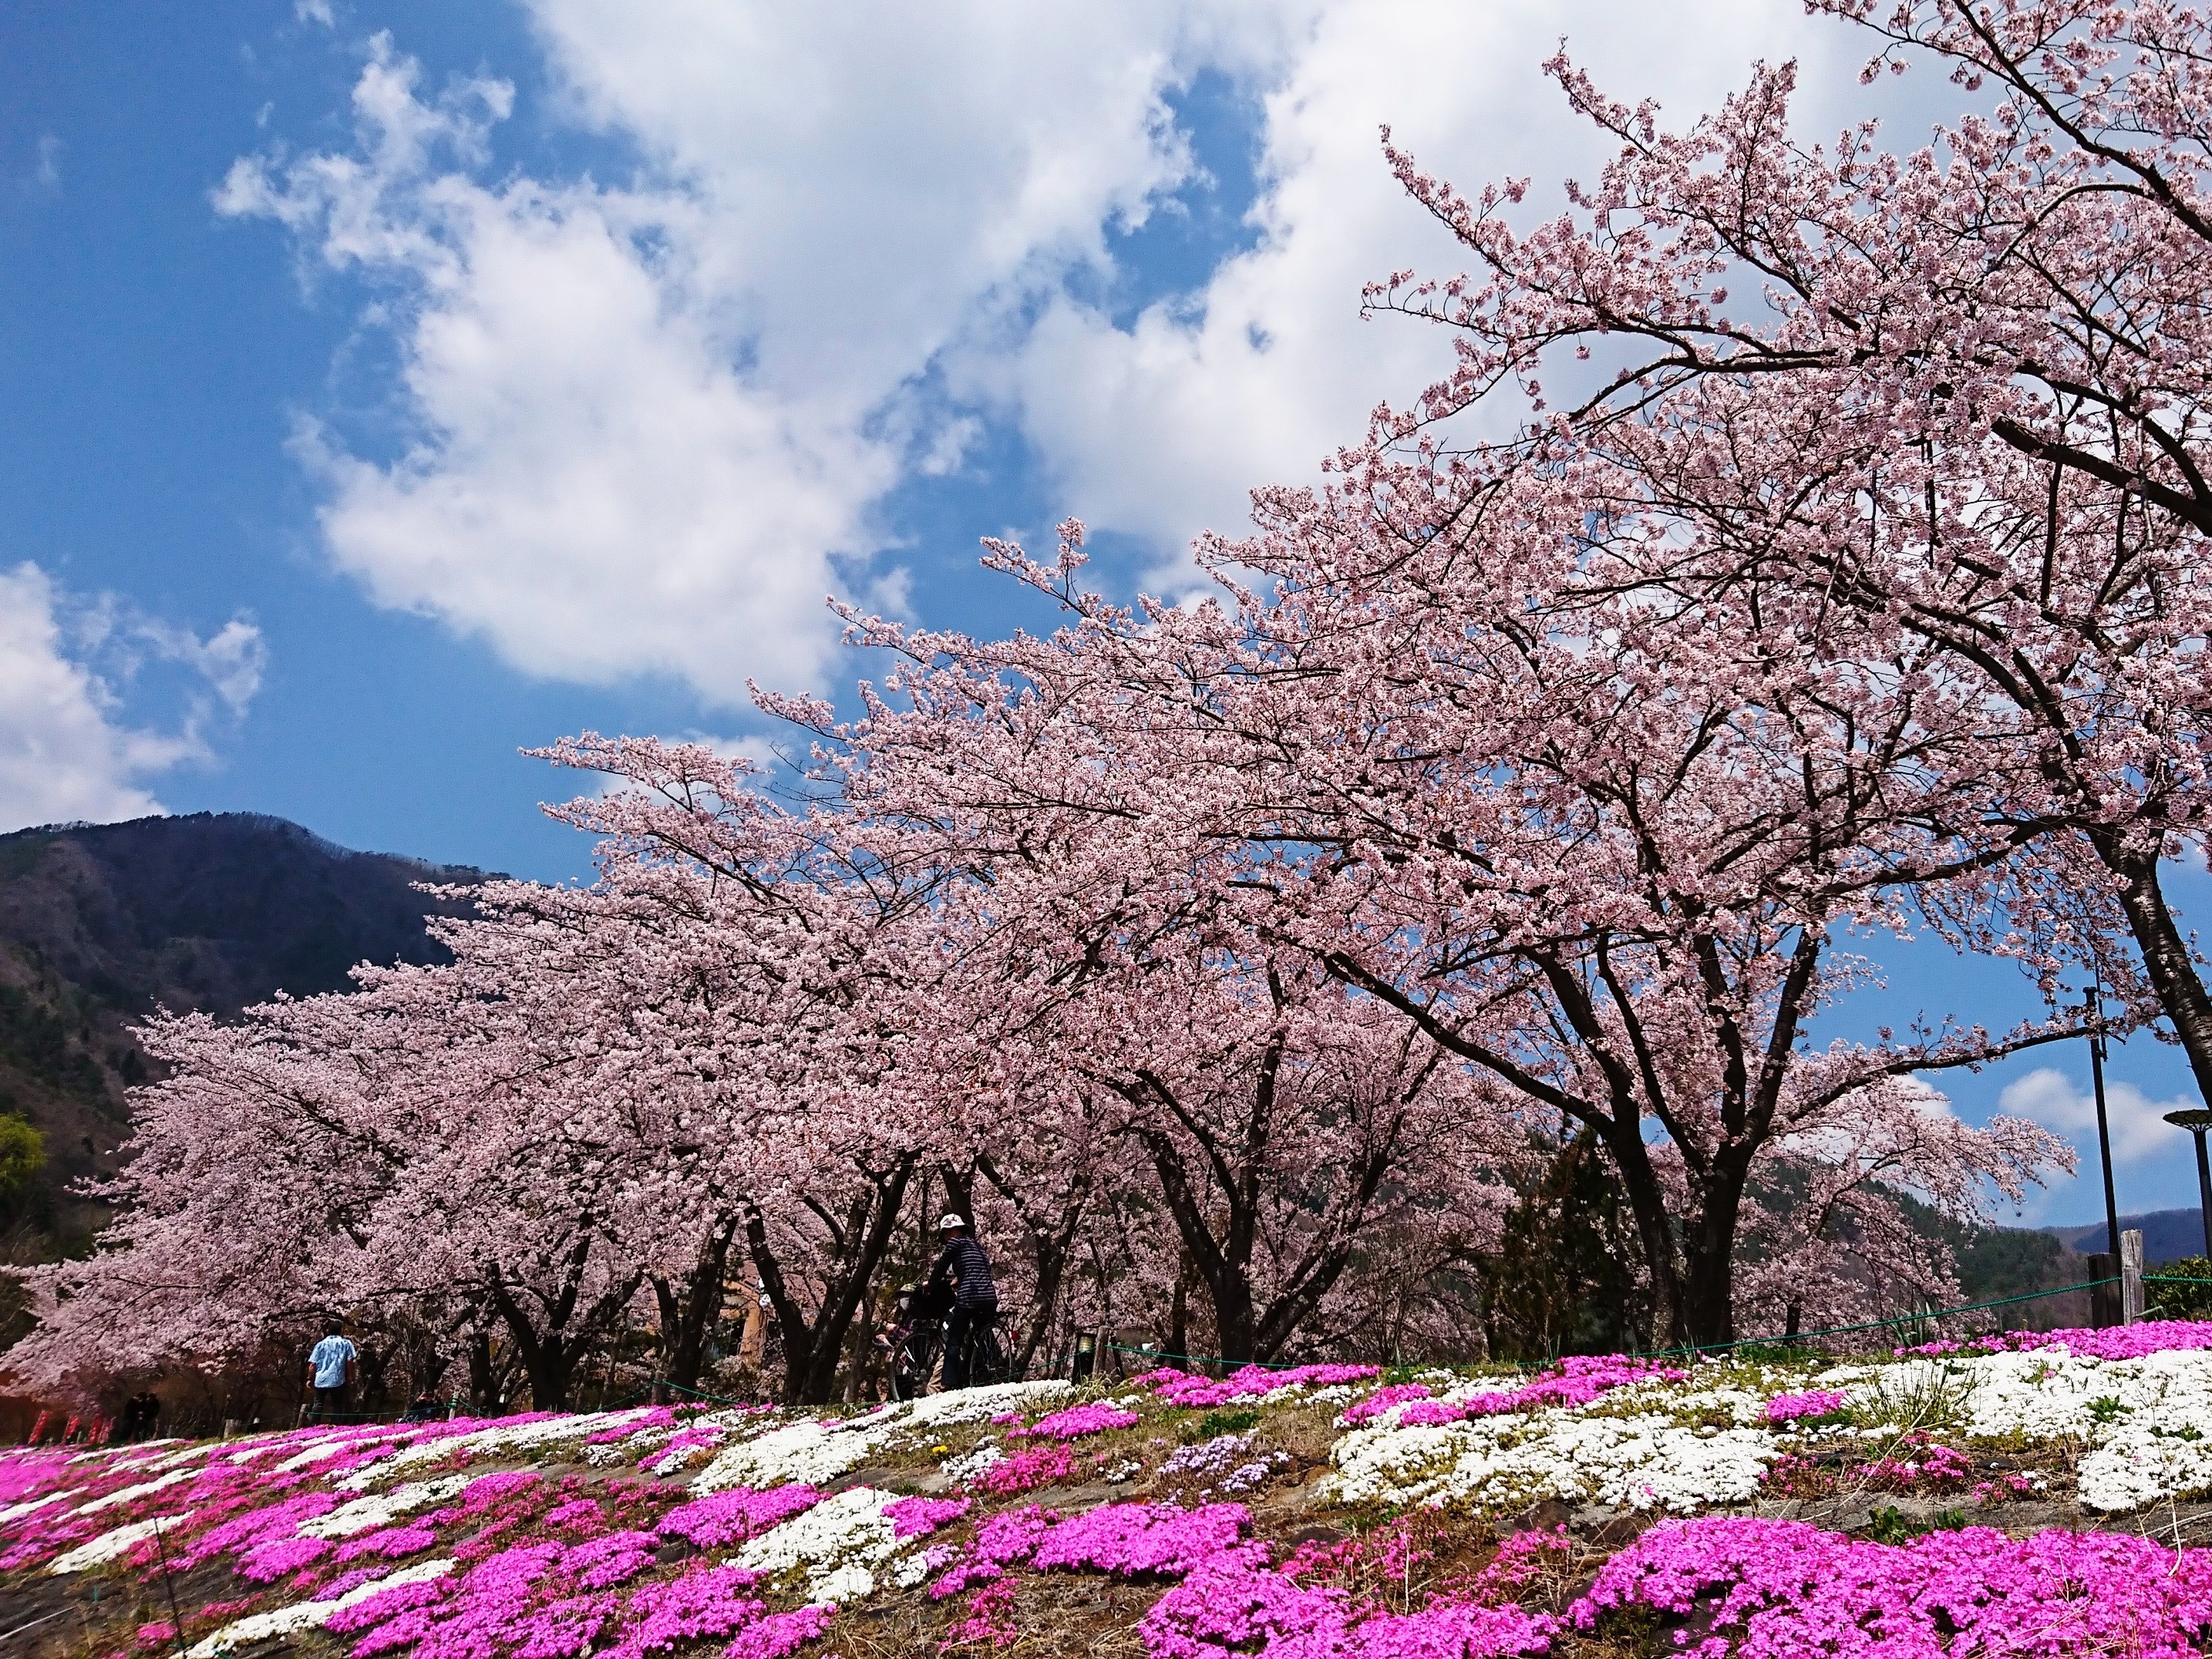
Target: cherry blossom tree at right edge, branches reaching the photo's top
(1943, 408)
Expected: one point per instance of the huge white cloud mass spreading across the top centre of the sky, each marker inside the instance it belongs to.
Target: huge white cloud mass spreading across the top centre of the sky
(656, 421)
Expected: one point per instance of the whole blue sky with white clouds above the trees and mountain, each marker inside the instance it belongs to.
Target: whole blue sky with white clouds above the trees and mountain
(388, 388)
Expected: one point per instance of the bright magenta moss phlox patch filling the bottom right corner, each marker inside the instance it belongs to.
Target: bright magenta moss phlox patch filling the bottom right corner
(1780, 1589)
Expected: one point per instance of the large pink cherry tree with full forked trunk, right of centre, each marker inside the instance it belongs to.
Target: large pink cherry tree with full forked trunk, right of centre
(1596, 848)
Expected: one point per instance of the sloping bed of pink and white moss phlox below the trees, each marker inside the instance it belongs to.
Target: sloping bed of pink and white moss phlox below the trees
(1897, 1507)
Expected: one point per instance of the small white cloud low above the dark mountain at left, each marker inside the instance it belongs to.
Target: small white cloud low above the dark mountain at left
(65, 749)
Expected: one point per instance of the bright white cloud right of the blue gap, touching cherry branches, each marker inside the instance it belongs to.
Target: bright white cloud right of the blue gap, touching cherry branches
(1162, 428)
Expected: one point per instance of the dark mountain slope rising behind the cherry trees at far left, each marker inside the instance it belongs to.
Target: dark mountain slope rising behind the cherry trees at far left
(105, 924)
